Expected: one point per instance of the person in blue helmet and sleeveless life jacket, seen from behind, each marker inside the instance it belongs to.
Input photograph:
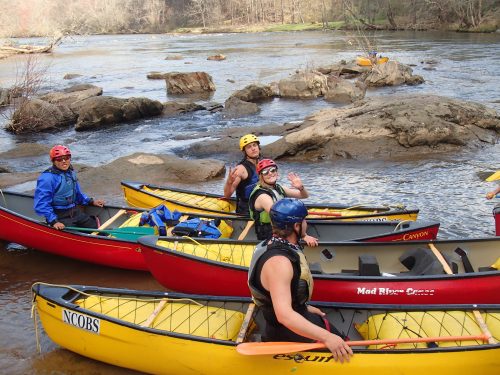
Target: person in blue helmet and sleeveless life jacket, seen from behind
(280, 282)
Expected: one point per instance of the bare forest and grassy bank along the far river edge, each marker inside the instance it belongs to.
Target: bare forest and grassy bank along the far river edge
(23, 18)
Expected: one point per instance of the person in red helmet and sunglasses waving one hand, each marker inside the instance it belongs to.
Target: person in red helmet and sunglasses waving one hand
(267, 192)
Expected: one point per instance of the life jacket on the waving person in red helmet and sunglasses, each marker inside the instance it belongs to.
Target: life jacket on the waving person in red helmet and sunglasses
(262, 219)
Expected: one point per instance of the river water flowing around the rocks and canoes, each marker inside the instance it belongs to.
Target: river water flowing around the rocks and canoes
(449, 189)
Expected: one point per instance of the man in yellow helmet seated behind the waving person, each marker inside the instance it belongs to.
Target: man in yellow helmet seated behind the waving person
(243, 177)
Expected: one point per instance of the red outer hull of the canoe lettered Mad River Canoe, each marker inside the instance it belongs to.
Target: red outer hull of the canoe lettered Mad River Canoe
(191, 274)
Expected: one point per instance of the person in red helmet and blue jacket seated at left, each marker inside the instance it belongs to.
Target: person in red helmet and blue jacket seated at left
(58, 193)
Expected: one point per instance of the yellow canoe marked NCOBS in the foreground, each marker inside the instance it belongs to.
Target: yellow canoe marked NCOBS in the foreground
(168, 333)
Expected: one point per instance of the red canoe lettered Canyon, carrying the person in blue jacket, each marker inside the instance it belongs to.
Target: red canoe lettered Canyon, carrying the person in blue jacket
(20, 224)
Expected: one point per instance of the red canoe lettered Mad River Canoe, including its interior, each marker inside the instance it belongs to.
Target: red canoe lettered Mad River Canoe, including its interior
(349, 272)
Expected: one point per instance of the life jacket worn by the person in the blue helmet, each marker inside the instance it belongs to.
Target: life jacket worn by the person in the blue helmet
(302, 281)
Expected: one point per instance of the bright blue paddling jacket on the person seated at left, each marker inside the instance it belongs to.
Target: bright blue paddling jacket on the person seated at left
(56, 189)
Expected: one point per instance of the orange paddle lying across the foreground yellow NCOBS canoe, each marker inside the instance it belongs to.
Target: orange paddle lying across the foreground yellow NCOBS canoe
(271, 348)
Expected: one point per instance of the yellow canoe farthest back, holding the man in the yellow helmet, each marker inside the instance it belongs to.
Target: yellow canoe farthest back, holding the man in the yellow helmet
(143, 195)
